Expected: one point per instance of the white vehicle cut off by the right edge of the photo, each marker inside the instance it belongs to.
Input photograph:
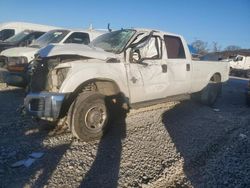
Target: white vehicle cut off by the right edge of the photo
(240, 66)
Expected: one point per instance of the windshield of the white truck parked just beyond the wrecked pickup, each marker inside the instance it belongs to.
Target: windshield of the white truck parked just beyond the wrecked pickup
(54, 36)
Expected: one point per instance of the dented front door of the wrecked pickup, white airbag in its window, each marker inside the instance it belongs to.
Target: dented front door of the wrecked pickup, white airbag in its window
(147, 72)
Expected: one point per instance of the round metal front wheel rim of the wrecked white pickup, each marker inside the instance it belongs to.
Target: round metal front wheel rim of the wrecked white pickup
(95, 117)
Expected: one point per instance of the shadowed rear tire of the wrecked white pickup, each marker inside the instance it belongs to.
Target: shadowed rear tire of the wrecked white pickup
(210, 93)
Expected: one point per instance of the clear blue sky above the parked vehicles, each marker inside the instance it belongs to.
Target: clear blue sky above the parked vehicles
(226, 22)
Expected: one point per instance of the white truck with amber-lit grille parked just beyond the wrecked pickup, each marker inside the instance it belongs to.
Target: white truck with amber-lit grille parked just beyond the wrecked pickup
(16, 60)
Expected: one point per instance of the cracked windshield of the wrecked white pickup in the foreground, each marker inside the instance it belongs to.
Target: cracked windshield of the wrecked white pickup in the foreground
(114, 41)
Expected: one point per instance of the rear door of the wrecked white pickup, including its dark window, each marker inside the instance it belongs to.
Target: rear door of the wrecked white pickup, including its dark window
(179, 67)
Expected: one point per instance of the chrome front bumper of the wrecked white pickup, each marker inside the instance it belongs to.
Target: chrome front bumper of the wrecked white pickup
(44, 105)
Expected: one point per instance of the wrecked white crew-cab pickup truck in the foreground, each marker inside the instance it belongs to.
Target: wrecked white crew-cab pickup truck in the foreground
(128, 68)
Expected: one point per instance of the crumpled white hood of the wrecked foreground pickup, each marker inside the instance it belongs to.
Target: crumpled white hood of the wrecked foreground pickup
(75, 49)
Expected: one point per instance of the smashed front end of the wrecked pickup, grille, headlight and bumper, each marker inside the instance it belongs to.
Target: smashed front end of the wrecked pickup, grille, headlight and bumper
(46, 77)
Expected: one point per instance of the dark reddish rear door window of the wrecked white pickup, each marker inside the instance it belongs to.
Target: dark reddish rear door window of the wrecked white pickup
(175, 49)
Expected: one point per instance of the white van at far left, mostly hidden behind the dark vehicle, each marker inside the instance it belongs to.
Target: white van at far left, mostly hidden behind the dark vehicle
(9, 29)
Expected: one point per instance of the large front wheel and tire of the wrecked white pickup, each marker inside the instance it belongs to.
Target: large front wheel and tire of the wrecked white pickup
(88, 116)
